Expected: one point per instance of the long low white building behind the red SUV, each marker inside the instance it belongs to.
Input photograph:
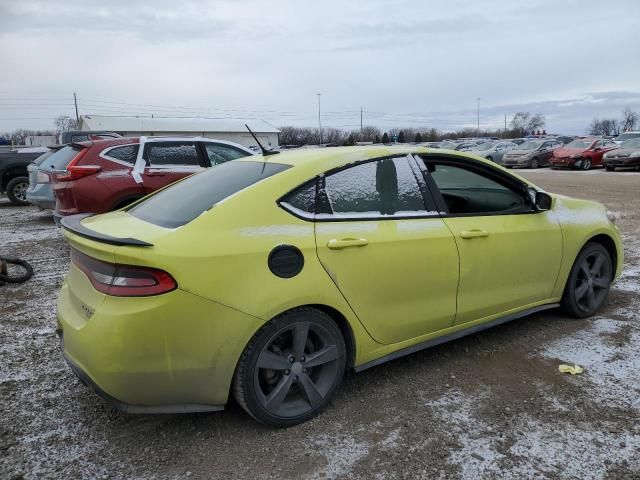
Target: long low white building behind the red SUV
(230, 130)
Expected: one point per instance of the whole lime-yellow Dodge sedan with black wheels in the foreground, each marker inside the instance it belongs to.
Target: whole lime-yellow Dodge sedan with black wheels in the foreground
(267, 277)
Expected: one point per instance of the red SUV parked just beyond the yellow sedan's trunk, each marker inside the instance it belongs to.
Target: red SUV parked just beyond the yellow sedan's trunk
(106, 175)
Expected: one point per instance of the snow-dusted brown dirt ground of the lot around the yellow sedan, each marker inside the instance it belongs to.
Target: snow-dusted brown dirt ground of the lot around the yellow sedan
(491, 405)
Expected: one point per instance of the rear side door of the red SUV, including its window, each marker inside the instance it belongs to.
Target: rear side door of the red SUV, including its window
(168, 161)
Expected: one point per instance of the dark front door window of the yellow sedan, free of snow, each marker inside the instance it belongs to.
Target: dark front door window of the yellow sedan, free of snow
(469, 192)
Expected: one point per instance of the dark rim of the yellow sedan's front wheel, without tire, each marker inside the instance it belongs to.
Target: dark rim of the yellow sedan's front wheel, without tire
(592, 282)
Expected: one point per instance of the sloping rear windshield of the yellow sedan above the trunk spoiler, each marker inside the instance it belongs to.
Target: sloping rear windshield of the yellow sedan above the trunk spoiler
(181, 203)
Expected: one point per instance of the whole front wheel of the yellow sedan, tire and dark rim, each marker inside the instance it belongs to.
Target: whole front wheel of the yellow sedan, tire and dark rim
(589, 281)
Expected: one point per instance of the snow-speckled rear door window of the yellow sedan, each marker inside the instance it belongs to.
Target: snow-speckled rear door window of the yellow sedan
(383, 187)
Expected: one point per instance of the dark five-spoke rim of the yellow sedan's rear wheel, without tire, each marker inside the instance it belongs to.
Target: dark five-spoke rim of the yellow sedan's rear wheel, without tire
(296, 370)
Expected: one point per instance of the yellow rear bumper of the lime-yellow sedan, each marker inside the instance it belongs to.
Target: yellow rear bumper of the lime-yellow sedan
(175, 352)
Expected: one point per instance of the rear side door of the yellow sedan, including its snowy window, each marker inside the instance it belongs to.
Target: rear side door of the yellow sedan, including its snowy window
(389, 253)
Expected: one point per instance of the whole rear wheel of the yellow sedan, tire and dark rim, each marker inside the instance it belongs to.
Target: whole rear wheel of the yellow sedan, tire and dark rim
(291, 368)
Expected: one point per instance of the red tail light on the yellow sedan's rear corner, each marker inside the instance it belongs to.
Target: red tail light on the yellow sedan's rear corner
(123, 280)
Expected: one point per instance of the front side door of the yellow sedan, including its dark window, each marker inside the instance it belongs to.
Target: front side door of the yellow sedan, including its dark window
(510, 253)
